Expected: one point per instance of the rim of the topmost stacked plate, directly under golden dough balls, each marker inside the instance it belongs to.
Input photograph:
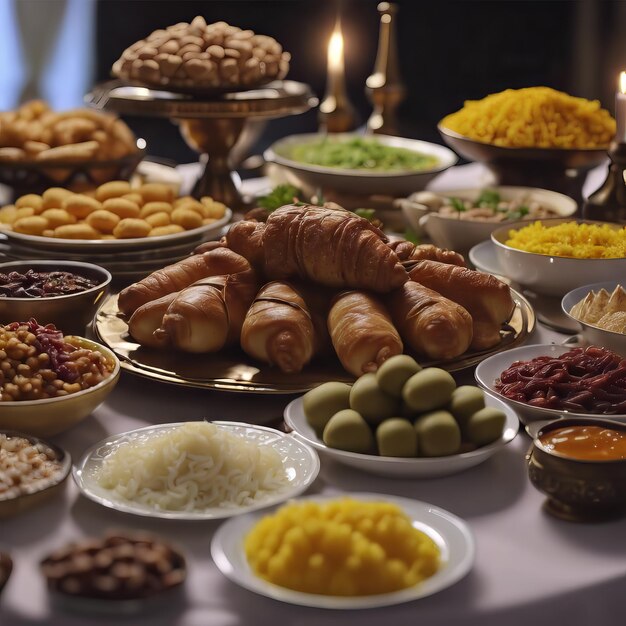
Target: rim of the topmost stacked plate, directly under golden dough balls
(118, 245)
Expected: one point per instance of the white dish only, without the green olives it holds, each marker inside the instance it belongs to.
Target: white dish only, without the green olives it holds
(403, 467)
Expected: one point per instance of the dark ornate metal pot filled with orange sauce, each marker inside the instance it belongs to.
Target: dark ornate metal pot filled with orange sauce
(580, 465)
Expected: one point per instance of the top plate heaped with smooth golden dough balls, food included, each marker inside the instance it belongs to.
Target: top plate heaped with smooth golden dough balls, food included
(115, 215)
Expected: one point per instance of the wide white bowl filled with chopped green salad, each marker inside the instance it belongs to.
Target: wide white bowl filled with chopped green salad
(355, 164)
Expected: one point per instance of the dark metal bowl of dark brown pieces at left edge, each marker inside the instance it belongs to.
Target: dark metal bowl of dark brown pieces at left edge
(64, 293)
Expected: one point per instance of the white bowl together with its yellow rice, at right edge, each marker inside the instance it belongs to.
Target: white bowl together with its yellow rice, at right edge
(554, 256)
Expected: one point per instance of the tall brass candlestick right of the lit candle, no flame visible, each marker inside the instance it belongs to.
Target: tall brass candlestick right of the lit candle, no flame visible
(384, 87)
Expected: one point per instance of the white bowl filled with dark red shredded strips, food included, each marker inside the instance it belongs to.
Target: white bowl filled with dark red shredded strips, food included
(547, 381)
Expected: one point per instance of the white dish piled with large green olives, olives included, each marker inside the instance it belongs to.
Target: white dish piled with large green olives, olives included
(404, 421)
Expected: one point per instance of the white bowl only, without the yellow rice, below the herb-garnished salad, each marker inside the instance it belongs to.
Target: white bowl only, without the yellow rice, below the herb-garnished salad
(553, 275)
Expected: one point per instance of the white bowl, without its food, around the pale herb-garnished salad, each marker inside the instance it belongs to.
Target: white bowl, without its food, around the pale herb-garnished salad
(461, 235)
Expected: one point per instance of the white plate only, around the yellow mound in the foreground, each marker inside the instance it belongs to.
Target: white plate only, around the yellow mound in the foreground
(451, 534)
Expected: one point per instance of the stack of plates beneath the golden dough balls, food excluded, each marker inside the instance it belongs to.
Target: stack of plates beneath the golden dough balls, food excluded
(128, 260)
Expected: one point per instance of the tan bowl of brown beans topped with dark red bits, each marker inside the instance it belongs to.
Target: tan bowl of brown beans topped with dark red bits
(50, 382)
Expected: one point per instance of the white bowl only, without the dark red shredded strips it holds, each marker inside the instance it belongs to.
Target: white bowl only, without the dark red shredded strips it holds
(490, 369)
